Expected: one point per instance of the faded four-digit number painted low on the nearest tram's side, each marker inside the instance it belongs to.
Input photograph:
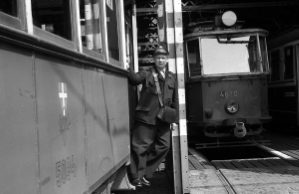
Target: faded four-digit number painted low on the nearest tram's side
(64, 169)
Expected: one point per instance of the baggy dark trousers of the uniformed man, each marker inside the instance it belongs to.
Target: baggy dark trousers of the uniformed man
(150, 145)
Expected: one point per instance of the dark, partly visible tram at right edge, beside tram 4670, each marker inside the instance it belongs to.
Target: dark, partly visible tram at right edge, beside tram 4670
(283, 82)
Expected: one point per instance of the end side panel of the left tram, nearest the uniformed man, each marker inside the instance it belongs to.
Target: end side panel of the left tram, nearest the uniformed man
(107, 124)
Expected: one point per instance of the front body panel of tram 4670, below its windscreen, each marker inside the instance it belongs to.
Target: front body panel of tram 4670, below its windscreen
(215, 94)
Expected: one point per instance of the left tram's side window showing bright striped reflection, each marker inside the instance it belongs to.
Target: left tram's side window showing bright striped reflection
(91, 32)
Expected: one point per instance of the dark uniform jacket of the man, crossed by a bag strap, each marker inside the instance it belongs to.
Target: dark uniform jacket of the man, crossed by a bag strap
(148, 105)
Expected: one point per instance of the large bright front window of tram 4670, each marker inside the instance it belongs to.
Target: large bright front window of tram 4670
(234, 55)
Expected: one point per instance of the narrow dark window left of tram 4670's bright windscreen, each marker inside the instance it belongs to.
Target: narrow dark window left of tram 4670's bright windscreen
(193, 55)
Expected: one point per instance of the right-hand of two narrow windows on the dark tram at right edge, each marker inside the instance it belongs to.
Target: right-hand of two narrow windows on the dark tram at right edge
(288, 62)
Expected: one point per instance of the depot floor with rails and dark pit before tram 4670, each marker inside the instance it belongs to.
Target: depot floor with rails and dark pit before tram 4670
(269, 172)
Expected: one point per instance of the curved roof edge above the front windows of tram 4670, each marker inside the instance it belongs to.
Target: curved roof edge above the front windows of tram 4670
(226, 31)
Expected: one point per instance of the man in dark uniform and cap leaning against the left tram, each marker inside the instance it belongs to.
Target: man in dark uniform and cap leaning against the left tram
(156, 114)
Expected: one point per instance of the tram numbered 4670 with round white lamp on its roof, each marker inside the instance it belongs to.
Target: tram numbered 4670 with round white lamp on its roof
(226, 79)
